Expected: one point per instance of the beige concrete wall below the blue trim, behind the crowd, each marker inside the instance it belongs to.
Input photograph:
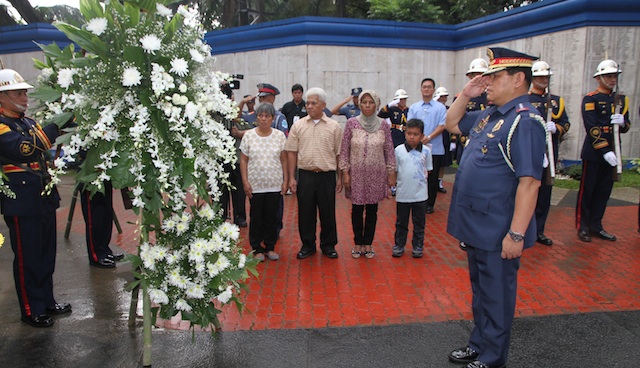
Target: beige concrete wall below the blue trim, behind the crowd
(573, 56)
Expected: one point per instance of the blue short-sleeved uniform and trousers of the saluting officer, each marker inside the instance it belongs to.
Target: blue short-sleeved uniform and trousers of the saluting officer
(505, 143)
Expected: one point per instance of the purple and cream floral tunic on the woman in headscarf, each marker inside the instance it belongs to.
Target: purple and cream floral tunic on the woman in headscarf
(370, 158)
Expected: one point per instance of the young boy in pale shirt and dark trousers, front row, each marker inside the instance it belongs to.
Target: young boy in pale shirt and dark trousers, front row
(413, 161)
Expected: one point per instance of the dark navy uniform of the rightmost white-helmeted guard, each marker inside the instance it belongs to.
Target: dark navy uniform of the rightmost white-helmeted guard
(597, 174)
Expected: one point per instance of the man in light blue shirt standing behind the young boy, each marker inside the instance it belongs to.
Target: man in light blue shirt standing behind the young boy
(433, 114)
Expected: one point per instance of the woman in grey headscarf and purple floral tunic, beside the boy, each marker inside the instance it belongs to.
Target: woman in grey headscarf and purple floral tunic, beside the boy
(368, 164)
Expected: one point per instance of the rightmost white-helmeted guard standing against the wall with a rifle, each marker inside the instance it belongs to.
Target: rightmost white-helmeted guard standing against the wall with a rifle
(598, 156)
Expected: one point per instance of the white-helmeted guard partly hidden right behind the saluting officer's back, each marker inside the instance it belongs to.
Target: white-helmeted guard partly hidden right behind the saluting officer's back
(557, 124)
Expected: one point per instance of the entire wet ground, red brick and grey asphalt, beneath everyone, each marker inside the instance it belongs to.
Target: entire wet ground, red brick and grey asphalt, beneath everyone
(578, 303)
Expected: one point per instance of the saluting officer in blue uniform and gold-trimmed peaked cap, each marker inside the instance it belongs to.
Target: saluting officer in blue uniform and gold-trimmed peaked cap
(494, 198)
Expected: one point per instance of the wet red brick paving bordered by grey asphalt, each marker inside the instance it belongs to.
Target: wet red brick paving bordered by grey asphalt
(569, 277)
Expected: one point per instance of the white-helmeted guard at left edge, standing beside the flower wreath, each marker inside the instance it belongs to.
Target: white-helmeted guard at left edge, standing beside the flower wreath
(29, 213)
